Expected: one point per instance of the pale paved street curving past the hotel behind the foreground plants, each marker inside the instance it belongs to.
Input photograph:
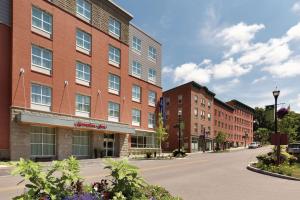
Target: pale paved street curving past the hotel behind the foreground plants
(206, 176)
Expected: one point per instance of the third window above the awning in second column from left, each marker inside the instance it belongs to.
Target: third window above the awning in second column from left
(83, 41)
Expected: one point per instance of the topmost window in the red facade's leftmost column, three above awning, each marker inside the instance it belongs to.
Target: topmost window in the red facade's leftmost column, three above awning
(42, 21)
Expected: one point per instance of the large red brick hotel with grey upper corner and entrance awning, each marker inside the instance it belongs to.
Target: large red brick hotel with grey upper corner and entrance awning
(76, 79)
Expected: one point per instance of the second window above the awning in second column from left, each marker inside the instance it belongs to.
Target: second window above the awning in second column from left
(83, 73)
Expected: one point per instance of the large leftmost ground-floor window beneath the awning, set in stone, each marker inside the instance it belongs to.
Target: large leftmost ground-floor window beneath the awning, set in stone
(42, 142)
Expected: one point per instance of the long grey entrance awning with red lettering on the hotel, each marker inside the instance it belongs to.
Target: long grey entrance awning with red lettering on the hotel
(73, 122)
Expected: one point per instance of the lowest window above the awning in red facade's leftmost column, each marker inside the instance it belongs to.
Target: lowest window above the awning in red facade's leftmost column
(40, 97)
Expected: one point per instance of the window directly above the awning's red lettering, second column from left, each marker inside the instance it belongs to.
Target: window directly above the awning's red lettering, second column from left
(83, 105)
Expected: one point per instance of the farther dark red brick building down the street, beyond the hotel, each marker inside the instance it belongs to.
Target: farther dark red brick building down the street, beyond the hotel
(203, 114)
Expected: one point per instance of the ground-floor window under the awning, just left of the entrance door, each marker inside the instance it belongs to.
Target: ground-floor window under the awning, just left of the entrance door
(80, 143)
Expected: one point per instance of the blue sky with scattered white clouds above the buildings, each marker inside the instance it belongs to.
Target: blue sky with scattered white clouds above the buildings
(240, 49)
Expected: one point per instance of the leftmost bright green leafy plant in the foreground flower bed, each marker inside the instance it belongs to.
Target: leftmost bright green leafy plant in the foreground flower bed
(57, 182)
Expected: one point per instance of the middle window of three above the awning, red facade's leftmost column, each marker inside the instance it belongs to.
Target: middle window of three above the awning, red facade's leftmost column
(41, 59)
